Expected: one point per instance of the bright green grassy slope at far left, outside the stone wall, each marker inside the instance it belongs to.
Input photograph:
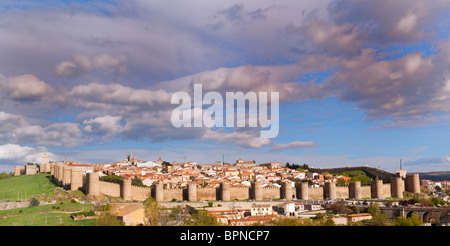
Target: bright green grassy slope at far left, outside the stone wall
(24, 186)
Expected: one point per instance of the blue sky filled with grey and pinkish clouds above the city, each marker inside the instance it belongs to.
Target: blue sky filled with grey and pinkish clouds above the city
(359, 82)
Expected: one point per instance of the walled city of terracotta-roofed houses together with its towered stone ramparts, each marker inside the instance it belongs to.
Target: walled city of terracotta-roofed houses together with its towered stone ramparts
(226, 182)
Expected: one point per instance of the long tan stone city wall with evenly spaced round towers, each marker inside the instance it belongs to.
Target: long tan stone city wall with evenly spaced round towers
(73, 179)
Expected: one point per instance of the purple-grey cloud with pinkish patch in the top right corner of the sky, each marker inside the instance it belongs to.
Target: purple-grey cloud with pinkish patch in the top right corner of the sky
(385, 22)
